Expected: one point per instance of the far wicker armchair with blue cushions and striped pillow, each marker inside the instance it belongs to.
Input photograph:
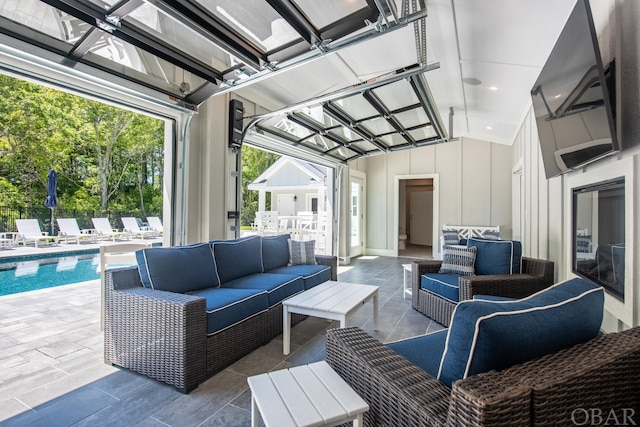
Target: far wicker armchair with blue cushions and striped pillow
(438, 304)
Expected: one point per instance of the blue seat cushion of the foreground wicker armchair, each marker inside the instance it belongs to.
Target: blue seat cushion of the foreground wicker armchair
(424, 351)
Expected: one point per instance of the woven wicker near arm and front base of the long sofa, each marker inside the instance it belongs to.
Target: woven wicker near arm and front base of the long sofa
(163, 335)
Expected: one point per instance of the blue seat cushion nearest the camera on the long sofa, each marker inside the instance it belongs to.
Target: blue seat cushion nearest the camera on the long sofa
(228, 306)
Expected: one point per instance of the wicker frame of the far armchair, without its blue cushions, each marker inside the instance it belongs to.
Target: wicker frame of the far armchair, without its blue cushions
(536, 275)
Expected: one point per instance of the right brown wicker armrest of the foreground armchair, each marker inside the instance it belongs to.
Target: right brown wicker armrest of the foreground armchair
(601, 374)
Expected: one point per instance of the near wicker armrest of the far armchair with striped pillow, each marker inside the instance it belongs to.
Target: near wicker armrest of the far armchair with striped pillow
(503, 285)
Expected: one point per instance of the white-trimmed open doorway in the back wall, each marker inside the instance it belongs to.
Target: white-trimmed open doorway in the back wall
(416, 216)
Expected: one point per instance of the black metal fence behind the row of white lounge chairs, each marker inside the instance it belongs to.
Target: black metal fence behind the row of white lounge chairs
(9, 215)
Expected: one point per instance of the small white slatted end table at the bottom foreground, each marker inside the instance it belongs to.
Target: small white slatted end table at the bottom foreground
(309, 395)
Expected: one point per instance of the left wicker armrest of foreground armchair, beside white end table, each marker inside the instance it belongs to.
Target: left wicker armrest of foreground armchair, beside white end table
(398, 392)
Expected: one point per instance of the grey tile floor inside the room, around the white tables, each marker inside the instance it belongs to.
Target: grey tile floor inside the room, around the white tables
(128, 399)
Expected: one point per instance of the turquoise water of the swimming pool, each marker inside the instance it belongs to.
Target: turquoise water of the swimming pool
(31, 274)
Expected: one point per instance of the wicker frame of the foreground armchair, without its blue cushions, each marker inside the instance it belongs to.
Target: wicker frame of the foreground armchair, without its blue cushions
(563, 387)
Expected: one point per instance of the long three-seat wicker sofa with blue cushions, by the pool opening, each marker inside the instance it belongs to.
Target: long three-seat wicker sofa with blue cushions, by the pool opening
(185, 313)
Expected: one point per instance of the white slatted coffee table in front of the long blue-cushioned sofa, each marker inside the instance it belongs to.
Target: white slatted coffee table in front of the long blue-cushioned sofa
(329, 300)
